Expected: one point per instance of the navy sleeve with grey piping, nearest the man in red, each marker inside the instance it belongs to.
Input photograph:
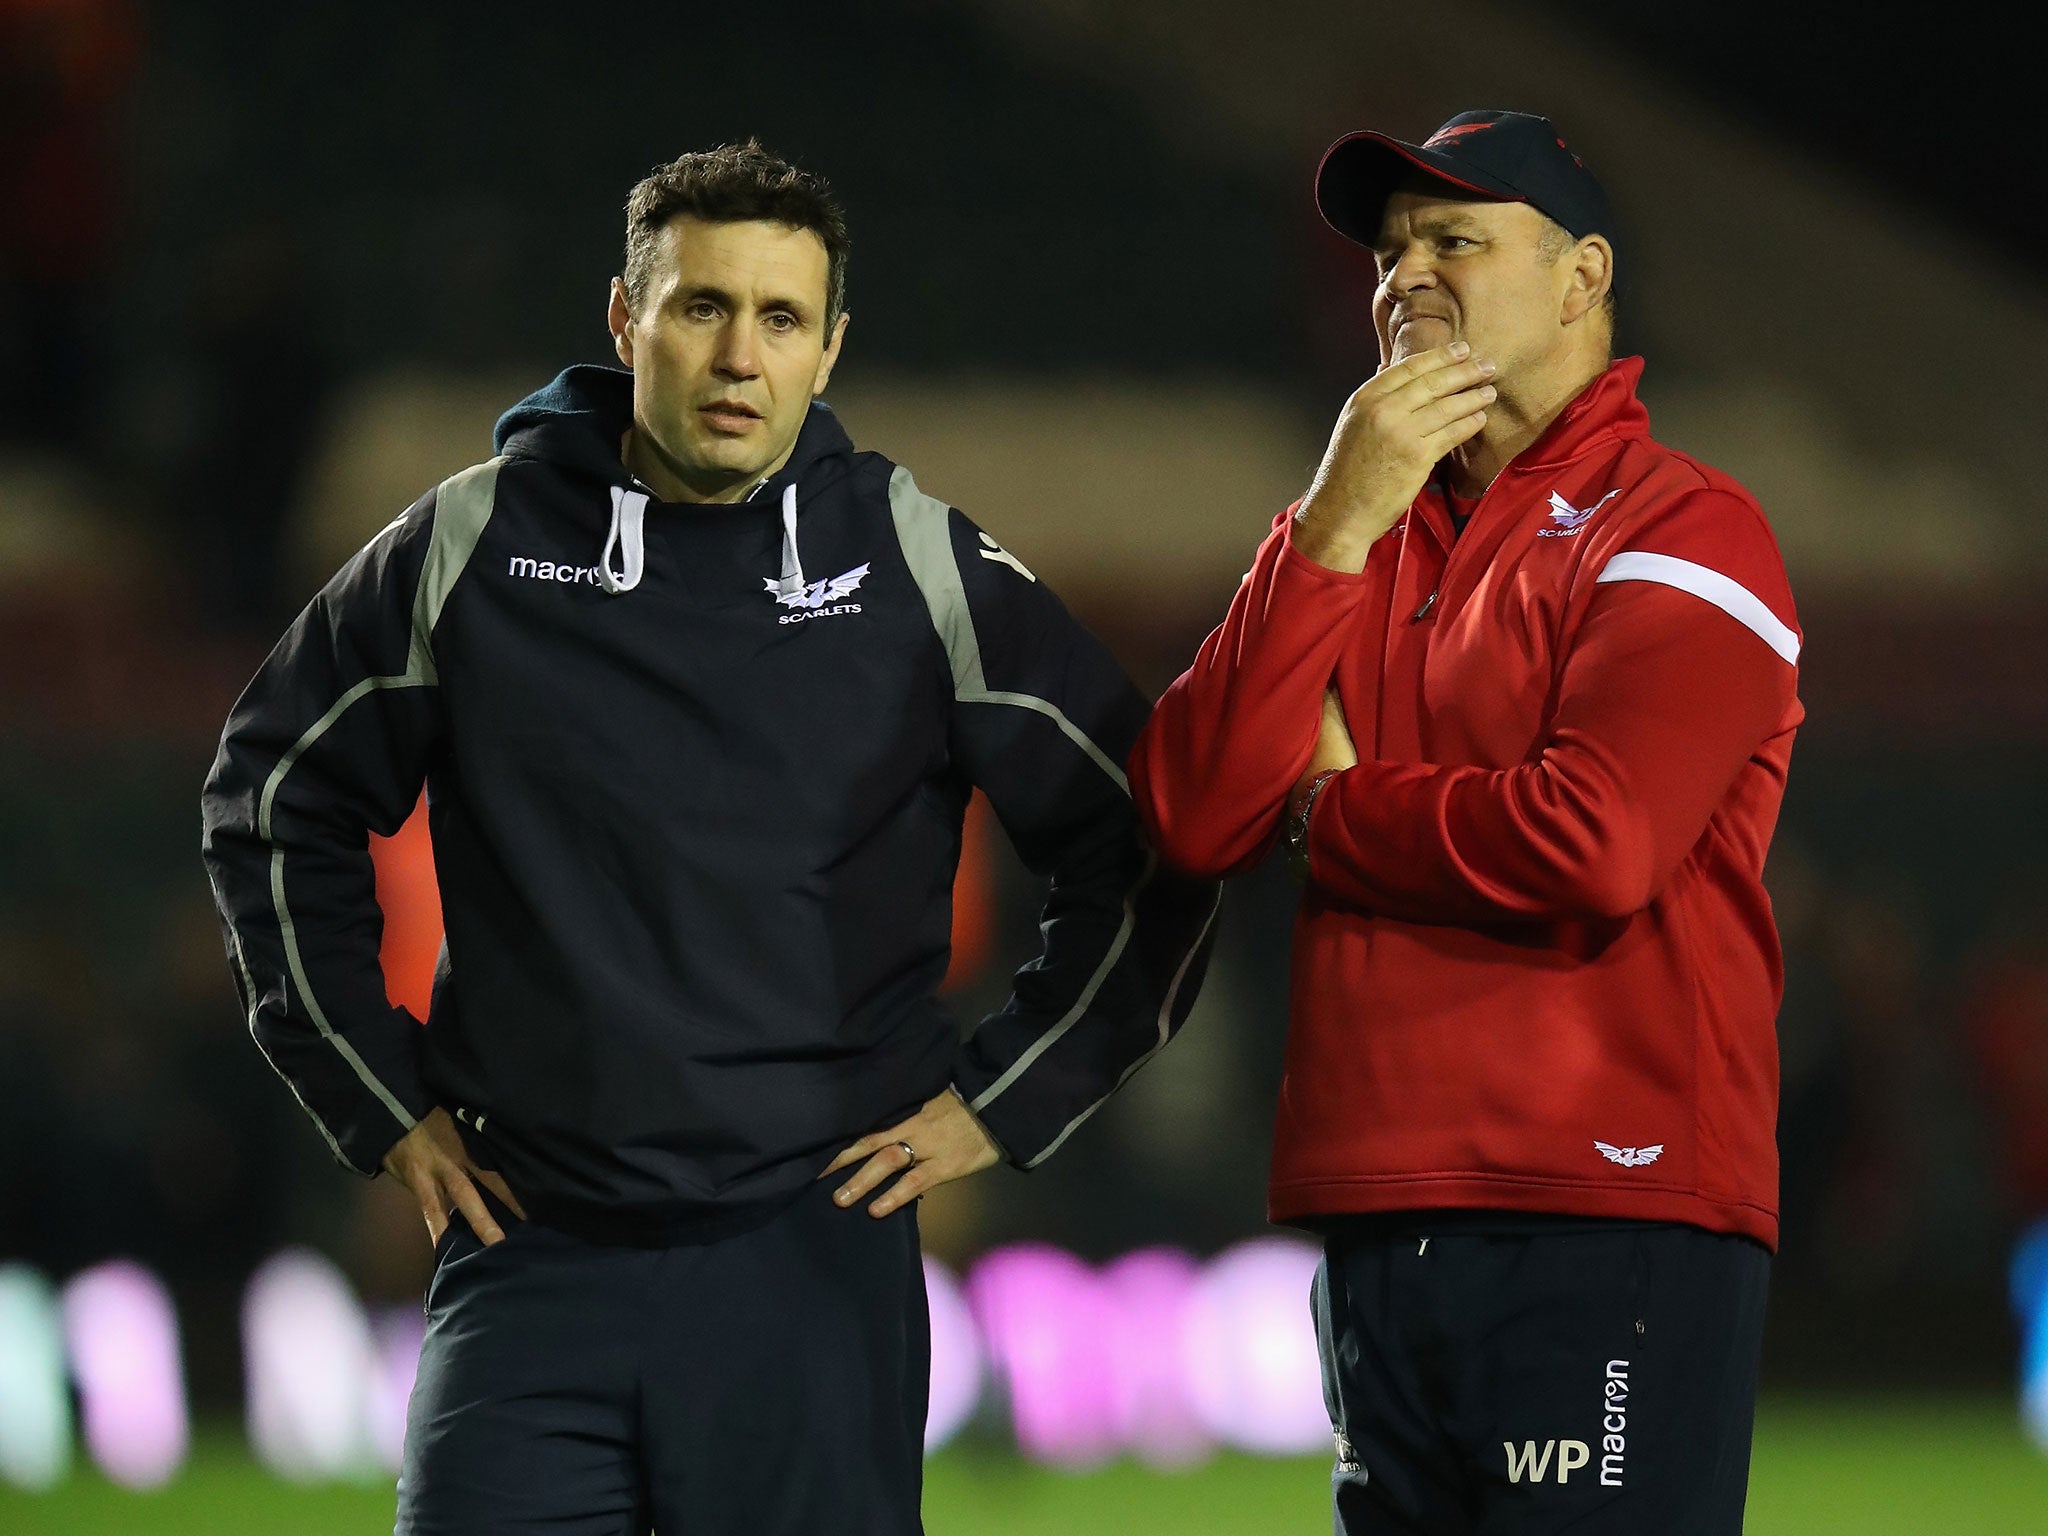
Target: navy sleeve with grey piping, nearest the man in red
(1041, 722)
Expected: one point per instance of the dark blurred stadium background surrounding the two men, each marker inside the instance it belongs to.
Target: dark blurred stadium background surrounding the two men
(271, 271)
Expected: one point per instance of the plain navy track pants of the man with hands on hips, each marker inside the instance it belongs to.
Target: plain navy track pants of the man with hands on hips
(767, 1383)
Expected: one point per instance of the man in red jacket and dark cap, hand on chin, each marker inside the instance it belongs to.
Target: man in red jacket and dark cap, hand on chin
(1517, 685)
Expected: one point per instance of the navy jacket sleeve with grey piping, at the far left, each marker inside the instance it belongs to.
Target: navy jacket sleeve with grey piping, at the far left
(329, 744)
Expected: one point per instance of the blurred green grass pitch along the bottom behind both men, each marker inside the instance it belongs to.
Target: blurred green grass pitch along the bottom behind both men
(1824, 1467)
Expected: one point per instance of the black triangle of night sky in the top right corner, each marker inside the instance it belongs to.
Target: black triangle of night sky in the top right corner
(1928, 114)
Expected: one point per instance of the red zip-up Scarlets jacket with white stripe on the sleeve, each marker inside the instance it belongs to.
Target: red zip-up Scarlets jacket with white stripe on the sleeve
(1535, 968)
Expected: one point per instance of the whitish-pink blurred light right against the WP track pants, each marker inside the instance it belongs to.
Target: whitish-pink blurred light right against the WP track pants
(1250, 1349)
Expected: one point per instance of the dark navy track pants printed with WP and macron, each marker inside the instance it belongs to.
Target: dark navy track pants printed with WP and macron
(1514, 1377)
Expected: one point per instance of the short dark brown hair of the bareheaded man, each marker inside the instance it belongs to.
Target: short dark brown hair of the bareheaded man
(736, 183)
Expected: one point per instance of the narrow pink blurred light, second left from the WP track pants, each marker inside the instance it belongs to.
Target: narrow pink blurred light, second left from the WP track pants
(1148, 1295)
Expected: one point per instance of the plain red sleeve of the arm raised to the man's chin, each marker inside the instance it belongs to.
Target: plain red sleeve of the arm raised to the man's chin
(1222, 753)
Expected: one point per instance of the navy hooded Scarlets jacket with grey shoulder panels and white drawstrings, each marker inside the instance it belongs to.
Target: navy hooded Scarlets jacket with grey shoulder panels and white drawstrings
(695, 781)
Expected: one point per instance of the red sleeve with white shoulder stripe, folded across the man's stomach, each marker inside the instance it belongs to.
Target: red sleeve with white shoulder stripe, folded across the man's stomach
(1682, 667)
